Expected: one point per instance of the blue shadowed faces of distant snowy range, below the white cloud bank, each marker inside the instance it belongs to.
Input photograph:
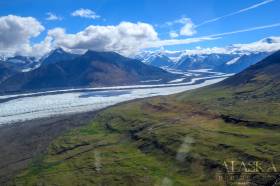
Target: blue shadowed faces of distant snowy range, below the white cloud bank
(227, 62)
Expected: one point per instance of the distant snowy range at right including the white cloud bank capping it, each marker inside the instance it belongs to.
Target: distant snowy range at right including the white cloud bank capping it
(231, 59)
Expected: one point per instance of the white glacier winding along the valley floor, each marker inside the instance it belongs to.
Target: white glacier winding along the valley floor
(24, 107)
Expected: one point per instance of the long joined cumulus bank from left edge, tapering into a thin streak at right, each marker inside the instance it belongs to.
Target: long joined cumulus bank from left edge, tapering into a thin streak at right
(126, 38)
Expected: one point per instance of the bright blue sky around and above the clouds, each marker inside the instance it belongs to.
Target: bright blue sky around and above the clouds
(163, 15)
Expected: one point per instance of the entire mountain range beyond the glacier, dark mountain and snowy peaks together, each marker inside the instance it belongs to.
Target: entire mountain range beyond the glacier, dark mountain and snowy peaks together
(61, 69)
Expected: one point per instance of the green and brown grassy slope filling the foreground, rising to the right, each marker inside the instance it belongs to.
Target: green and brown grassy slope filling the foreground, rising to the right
(183, 139)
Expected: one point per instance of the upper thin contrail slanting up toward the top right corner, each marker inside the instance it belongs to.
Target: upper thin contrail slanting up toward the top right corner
(235, 13)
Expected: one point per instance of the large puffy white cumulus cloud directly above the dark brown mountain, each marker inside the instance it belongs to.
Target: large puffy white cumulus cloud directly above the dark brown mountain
(125, 38)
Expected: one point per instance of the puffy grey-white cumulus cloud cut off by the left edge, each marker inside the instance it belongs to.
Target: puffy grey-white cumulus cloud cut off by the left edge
(16, 32)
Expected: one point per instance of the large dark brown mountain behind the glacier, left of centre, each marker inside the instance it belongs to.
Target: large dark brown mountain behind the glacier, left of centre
(88, 70)
